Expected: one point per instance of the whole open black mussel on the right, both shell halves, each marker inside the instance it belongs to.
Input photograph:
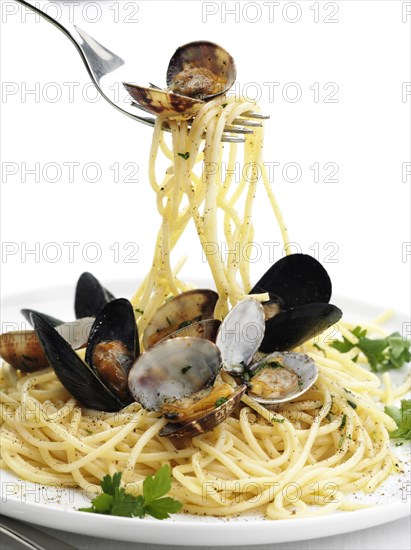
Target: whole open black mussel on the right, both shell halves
(298, 309)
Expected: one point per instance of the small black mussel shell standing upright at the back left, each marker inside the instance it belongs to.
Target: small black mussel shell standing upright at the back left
(90, 297)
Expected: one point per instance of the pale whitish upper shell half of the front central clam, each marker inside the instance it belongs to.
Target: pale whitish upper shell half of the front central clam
(173, 369)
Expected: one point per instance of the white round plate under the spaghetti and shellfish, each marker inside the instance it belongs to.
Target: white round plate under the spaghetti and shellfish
(56, 508)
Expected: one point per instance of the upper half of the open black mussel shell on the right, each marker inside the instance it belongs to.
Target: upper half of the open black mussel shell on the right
(296, 279)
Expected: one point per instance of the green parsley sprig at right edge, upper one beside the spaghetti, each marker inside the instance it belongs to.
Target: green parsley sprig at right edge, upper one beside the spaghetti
(382, 353)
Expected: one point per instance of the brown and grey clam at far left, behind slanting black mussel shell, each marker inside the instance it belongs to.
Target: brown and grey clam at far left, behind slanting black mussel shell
(23, 351)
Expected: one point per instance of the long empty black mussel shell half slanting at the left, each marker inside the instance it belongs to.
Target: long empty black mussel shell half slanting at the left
(76, 376)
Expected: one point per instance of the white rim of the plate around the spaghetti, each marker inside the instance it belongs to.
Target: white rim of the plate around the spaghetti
(188, 531)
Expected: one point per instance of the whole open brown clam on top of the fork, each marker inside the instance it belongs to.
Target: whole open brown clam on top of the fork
(197, 72)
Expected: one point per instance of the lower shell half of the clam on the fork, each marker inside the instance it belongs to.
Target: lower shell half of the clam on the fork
(163, 103)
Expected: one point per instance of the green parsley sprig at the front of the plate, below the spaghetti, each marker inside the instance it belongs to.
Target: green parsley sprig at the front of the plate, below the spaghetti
(115, 501)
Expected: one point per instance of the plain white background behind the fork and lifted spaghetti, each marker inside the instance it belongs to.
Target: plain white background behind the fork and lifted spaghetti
(363, 218)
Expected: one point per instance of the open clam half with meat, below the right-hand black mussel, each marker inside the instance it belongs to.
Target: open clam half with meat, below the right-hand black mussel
(299, 363)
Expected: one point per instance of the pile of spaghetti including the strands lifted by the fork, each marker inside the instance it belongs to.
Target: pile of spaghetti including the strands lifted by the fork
(331, 441)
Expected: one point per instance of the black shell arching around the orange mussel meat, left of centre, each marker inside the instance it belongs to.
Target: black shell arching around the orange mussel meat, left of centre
(115, 322)
